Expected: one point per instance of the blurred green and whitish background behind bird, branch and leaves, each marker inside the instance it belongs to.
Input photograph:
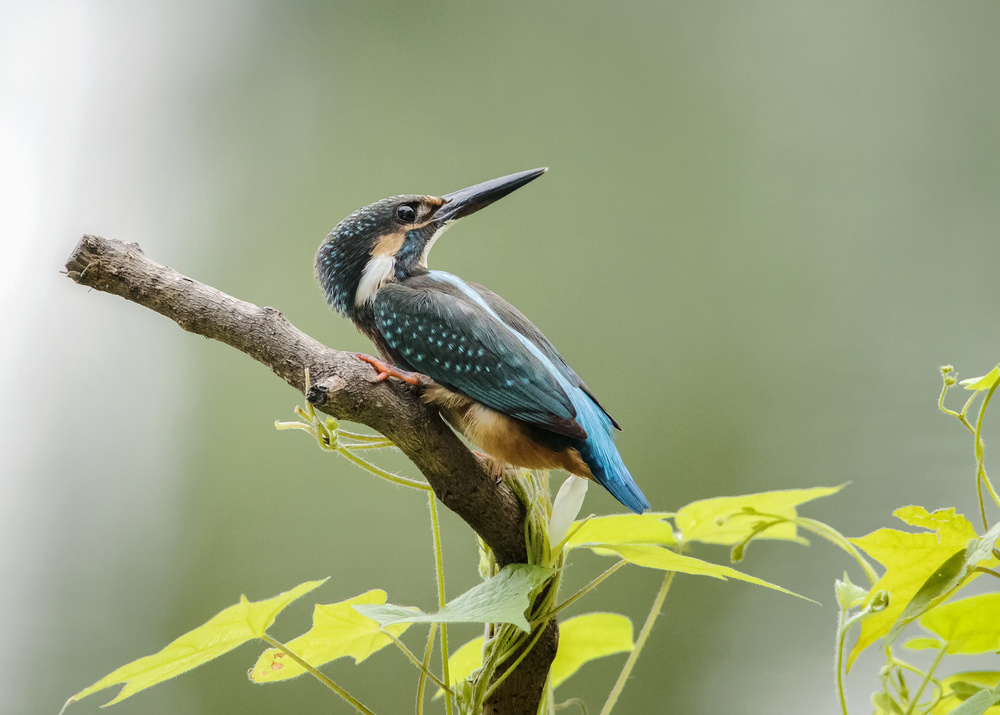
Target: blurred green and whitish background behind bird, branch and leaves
(765, 226)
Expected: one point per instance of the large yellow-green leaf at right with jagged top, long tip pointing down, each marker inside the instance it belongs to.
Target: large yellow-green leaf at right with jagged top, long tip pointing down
(909, 560)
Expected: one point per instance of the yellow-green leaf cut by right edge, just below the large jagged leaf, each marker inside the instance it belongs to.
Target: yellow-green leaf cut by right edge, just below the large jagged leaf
(970, 625)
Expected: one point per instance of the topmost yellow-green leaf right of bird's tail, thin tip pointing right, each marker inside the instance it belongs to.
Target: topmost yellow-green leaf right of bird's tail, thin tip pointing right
(731, 520)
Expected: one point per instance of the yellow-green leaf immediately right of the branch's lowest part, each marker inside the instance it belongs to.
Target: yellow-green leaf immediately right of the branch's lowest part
(586, 638)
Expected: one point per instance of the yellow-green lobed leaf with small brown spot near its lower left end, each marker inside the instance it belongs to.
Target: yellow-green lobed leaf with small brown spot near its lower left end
(338, 631)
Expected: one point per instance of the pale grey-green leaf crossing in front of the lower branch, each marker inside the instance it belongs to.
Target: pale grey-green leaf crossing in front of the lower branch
(501, 599)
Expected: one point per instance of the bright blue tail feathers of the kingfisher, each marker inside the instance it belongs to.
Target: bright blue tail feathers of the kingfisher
(601, 455)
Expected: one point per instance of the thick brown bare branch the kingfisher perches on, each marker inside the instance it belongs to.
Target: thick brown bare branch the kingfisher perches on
(343, 387)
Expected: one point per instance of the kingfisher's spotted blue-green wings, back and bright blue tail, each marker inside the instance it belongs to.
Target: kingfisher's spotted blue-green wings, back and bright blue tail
(472, 341)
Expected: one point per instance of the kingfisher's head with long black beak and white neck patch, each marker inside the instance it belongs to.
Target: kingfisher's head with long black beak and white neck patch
(390, 239)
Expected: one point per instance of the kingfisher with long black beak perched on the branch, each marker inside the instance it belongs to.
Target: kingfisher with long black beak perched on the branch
(492, 374)
